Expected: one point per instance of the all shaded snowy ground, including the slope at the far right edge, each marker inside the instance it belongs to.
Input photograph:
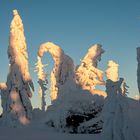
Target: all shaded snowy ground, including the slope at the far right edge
(39, 130)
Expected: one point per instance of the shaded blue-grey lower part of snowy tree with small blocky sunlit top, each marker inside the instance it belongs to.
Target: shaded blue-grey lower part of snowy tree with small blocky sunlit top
(112, 124)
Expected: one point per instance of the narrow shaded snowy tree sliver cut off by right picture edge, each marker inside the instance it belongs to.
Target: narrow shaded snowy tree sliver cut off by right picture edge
(138, 68)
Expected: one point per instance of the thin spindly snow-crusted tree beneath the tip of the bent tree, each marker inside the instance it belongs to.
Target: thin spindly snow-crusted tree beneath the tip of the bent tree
(42, 80)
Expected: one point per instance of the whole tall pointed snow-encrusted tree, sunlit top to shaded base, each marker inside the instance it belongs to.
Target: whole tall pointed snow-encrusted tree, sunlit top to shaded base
(17, 109)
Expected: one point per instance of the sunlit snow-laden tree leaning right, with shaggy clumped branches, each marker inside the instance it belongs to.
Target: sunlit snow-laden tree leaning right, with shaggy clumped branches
(87, 74)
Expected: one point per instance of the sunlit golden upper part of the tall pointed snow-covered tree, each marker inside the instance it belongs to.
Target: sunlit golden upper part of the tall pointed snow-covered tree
(17, 51)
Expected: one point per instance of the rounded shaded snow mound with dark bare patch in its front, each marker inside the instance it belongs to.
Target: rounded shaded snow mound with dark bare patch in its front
(68, 113)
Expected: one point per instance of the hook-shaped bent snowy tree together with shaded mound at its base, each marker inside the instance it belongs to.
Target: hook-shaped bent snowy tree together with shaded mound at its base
(71, 105)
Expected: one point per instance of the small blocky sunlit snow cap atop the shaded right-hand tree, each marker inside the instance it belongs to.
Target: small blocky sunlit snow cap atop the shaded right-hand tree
(112, 71)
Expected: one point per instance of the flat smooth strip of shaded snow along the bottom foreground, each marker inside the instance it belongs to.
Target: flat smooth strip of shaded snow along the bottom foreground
(41, 134)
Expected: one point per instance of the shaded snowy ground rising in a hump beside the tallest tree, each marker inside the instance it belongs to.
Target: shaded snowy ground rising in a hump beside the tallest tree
(38, 130)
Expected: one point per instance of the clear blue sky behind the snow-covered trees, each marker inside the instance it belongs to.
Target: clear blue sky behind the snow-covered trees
(75, 25)
